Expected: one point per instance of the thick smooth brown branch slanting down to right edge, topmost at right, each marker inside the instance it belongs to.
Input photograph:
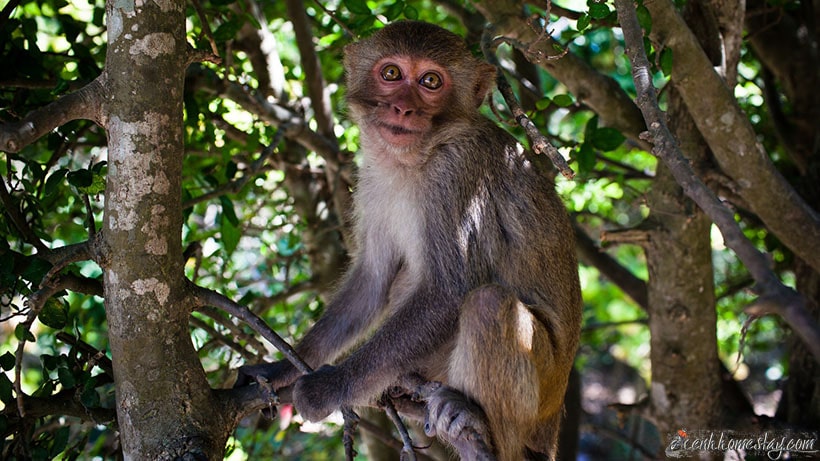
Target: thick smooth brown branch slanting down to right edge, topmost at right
(732, 138)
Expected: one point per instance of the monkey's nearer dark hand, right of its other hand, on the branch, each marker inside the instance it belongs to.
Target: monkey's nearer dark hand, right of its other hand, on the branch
(318, 394)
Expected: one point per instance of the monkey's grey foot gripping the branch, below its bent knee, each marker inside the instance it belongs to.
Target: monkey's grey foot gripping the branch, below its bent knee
(459, 420)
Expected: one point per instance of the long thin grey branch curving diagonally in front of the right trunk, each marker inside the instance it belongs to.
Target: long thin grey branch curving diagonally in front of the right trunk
(775, 297)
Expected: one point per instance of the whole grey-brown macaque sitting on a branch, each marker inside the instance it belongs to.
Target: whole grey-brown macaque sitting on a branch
(465, 270)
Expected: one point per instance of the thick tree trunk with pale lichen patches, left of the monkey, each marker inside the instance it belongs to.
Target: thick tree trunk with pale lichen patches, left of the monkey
(165, 407)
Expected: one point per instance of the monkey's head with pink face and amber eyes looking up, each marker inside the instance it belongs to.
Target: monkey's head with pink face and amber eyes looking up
(410, 77)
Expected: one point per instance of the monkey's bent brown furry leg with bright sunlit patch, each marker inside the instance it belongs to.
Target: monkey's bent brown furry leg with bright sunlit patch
(501, 353)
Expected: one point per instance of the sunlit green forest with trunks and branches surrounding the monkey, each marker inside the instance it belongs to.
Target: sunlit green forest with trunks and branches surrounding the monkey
(173, 171)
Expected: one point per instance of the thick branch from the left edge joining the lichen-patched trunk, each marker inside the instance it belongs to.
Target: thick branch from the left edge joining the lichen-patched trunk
(85, 103)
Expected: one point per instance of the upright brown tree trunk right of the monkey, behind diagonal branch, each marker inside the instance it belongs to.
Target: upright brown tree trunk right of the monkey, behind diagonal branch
(686, 384)
